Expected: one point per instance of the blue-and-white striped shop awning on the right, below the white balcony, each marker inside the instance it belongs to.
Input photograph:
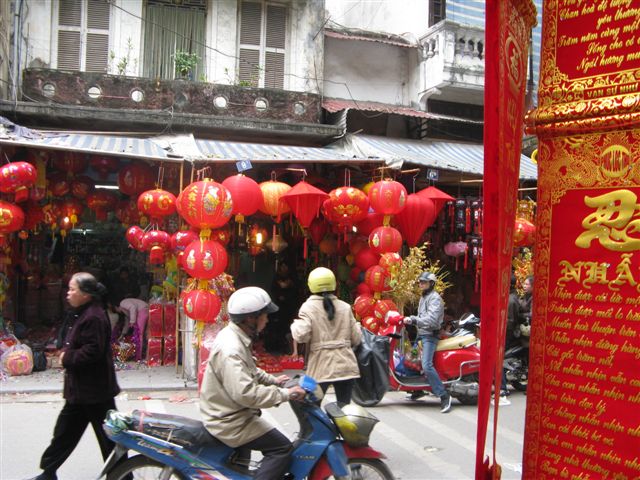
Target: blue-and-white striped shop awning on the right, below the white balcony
(456, 156)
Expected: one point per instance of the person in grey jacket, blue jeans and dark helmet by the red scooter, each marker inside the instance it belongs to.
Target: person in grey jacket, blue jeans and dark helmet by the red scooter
(429, 322)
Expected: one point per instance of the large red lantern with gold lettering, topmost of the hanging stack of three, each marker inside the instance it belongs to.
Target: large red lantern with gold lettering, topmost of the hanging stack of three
(205, 205)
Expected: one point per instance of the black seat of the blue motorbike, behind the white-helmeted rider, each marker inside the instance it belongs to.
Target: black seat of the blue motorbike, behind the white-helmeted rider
(182, 431)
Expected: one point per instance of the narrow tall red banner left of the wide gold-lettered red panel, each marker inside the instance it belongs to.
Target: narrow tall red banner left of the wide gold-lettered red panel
(507, 33)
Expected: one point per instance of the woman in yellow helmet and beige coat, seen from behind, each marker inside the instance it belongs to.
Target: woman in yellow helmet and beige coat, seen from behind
(328, 326)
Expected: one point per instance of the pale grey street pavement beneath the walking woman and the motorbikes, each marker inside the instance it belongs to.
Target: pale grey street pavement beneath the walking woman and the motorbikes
(420, 443)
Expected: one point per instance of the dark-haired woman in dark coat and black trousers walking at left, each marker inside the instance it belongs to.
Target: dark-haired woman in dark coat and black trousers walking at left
(89, 380)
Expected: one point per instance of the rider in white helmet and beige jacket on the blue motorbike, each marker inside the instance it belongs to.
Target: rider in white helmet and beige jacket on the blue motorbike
(234, 390)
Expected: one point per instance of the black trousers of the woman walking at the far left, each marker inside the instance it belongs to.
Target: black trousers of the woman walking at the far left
(70, 426)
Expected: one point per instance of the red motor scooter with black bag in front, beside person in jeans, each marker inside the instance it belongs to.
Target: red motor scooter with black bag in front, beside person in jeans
(457, 361)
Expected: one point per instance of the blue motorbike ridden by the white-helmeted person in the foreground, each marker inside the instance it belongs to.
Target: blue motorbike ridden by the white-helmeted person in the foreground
(332, 443)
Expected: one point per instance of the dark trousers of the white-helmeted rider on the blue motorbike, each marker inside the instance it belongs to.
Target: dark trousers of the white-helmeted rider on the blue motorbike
(276, 450)
